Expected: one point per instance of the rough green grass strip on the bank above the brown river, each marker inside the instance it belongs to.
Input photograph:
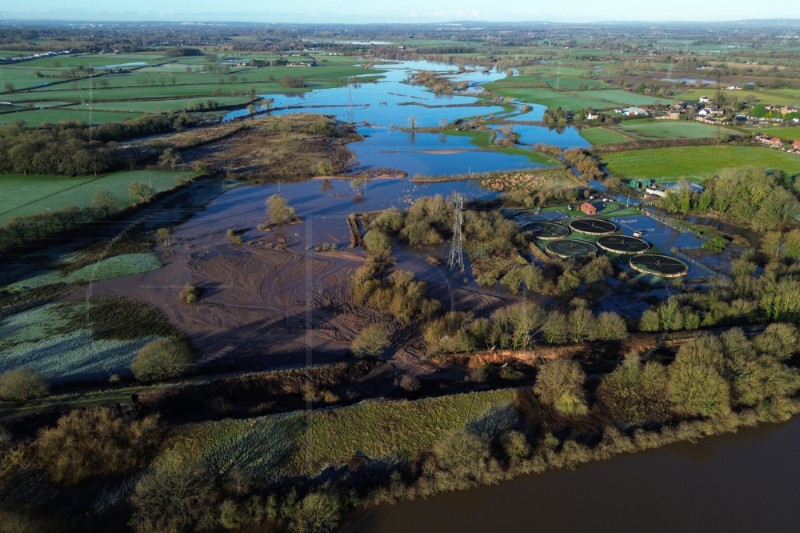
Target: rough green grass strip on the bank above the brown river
(305, 443)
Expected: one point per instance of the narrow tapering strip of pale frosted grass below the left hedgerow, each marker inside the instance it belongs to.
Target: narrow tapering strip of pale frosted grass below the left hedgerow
(113, 267)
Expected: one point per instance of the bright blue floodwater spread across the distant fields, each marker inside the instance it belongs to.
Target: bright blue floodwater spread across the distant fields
(380, 108)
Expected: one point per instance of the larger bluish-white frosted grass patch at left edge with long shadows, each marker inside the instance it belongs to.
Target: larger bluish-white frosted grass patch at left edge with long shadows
(45, 340)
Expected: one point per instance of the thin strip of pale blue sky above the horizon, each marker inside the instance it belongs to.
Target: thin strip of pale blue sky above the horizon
(399, 11)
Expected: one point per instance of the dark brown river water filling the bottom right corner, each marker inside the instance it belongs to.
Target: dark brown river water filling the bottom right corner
(731, 483)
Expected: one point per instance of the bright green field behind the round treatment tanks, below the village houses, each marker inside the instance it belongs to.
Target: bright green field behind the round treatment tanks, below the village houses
(696, 161)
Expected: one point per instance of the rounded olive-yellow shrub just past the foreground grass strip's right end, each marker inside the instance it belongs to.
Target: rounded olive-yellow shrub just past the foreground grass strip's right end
(560, 385)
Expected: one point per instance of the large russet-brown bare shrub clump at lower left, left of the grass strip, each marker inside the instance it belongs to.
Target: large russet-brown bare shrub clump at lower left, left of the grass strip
(96, 441)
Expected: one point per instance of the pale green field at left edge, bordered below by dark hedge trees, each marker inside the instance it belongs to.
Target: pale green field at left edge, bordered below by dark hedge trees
(26, 195)
